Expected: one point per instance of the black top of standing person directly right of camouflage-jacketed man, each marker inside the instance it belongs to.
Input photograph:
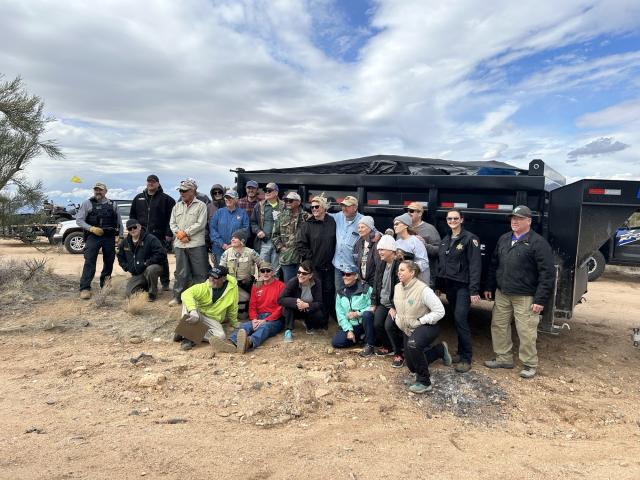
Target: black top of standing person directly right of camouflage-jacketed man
(317, 241)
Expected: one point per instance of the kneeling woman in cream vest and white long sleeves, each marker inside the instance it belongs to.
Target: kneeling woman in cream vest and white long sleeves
(418, 311)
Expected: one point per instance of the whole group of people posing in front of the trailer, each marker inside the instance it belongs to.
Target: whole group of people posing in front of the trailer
(273, 263)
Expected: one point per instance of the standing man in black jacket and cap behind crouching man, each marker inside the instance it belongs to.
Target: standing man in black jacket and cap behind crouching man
(152, 209)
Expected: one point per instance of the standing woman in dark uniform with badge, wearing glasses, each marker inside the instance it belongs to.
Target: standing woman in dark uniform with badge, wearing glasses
(459, 270)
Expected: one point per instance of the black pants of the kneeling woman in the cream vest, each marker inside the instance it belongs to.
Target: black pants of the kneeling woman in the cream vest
(419, 353)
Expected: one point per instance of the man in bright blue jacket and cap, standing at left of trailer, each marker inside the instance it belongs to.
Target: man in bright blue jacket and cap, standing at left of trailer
(224, 222)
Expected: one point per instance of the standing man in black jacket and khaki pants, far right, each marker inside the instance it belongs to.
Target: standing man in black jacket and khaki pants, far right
(522, 275)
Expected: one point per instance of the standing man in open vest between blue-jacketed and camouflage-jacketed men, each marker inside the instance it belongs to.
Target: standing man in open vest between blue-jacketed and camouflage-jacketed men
(263, 219)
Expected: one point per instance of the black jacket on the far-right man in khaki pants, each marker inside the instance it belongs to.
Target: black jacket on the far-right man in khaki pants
(526, 268)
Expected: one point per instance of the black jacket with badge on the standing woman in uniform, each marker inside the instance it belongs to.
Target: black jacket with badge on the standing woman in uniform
(461, 262)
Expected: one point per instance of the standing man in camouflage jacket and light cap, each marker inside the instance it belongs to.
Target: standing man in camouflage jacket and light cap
(285, 233)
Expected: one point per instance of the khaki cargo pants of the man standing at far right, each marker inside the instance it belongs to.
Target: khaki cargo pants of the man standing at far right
(518, 307)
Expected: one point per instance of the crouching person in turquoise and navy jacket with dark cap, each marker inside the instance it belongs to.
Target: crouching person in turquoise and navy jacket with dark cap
(353, 311)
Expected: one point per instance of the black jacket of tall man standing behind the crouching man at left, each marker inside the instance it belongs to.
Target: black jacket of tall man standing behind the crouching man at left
(153, 212)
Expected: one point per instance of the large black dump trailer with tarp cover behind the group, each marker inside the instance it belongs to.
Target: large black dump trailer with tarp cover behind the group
(576, 219)
